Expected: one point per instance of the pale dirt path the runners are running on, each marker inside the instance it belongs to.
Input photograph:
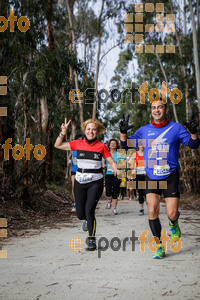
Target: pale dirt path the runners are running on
(42, 266)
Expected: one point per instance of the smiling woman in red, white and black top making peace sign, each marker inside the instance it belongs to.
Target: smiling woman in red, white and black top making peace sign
(88, 185)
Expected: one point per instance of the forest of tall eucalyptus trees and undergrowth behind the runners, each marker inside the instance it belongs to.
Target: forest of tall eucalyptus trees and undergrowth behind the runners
(67, 46)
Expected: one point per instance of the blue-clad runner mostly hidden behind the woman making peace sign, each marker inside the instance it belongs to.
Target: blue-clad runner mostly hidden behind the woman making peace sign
(72, 161)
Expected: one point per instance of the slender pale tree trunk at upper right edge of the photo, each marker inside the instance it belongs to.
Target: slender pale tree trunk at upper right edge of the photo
(196, 57)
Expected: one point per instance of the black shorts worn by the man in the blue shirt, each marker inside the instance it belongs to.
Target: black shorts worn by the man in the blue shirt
(170, 186)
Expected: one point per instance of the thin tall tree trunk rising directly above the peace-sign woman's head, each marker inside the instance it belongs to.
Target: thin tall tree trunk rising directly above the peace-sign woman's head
(98, 58)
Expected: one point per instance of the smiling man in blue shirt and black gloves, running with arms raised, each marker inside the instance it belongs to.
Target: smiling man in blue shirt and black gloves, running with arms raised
(161, 141)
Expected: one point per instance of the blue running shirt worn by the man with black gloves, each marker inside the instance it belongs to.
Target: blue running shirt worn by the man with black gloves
(161, 147)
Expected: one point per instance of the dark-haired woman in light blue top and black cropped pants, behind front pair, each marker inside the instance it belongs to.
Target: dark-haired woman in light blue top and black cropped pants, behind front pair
(112, 183)
